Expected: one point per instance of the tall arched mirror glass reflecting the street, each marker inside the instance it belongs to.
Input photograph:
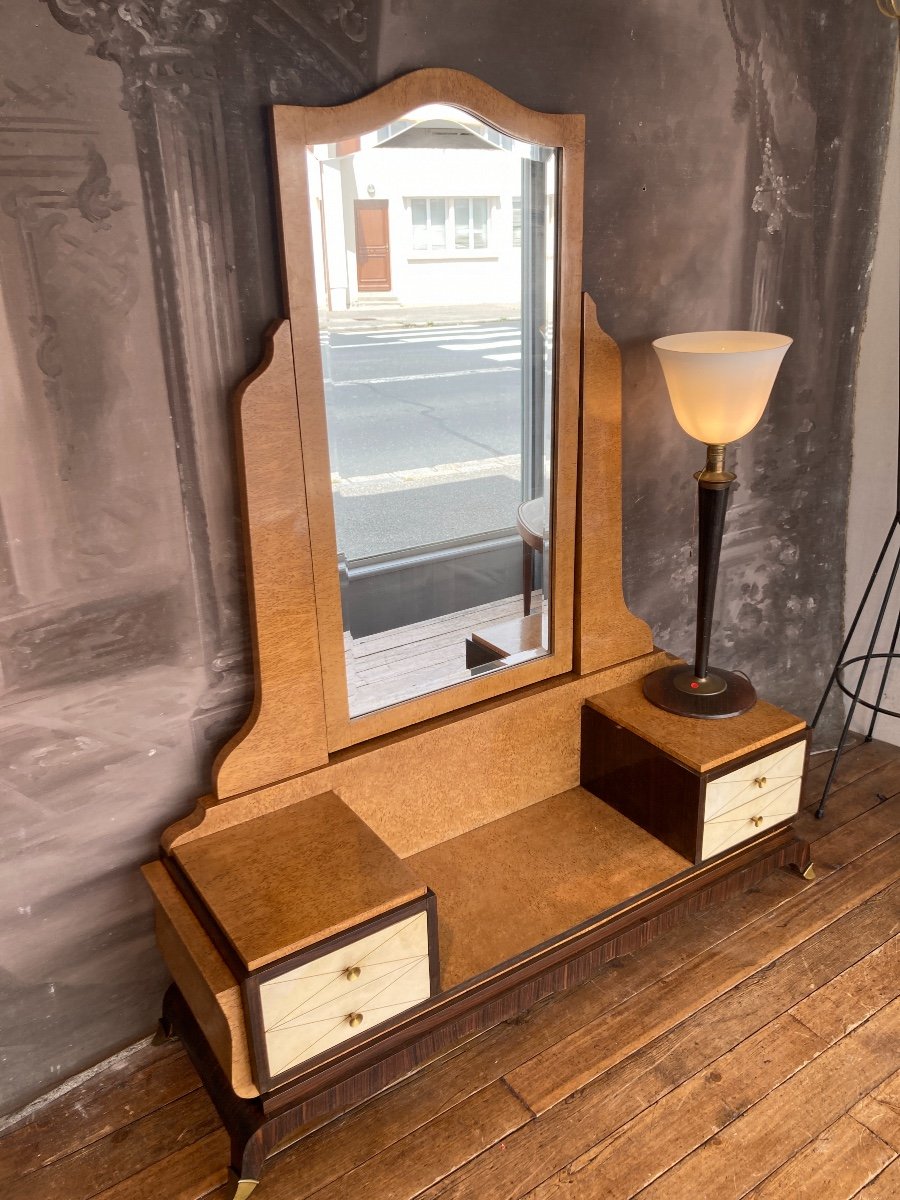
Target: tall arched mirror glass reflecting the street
(435, 251)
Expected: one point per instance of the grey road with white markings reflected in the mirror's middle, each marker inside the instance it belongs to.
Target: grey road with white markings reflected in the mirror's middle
(425, 434)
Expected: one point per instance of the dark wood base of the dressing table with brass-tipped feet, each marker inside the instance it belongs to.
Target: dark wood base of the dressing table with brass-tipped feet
(259, 1126)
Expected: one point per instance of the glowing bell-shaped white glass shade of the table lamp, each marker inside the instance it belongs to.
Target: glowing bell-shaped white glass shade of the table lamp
(721, 382)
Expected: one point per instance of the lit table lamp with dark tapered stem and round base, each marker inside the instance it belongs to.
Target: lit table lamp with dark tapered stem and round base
(719, 385)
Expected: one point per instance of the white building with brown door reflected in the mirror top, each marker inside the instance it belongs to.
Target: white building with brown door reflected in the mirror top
(425, 211)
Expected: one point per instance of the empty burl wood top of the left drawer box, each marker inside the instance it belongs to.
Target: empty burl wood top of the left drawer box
(289, 879)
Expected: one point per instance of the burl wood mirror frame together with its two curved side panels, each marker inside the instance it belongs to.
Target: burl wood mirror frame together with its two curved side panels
(301, 716)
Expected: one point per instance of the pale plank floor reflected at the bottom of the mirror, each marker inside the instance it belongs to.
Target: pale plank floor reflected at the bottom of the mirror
(386, 669)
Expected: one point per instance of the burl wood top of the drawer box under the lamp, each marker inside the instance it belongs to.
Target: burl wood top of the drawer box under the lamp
(700, 746)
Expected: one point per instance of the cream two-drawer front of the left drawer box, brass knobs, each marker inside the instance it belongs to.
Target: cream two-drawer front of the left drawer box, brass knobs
(319, 1005)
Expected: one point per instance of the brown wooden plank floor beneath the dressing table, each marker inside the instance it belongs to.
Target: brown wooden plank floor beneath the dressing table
(752, 1052)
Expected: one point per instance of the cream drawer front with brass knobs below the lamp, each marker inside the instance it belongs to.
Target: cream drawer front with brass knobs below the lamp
(752, 799)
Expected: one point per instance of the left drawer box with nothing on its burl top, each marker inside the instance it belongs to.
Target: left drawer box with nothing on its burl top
(327, 931)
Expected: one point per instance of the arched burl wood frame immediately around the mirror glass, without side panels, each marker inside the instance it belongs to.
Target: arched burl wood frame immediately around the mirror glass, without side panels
(295, 130)
